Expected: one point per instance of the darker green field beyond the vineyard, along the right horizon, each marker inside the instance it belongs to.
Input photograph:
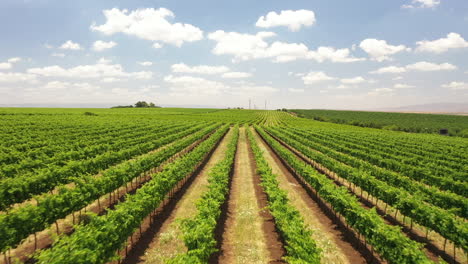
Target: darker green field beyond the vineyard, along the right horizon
(417, 123)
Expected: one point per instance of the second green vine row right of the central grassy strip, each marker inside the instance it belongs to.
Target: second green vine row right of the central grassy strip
(388, 241)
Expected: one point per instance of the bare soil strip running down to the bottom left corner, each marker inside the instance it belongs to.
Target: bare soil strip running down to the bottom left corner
(45, 238)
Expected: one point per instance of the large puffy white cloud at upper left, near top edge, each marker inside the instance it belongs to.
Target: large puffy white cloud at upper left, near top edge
(150, 24)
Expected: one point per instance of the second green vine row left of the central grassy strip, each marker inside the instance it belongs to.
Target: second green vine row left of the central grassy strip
(98, 241)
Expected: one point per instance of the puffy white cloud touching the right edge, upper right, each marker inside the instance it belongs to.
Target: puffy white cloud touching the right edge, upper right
(452, 41)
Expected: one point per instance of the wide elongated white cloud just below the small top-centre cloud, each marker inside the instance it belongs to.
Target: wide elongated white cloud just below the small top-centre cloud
(248, 47)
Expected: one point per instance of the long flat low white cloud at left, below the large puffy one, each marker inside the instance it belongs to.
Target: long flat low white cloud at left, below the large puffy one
(100, 70)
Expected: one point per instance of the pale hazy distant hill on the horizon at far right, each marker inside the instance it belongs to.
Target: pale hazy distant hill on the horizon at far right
(458, 108)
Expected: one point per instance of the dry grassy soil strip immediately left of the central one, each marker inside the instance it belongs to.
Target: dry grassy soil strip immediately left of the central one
(168, 241)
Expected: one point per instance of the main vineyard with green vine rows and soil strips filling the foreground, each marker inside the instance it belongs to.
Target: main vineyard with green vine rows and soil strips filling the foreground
(172, 185)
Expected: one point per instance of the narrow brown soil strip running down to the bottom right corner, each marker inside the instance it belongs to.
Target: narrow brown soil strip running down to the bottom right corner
(433, 248)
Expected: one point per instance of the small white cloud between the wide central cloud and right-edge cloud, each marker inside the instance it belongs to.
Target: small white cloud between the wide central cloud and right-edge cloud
(379, 50)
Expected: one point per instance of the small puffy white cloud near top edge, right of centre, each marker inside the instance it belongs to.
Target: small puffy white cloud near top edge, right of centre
(294, 20)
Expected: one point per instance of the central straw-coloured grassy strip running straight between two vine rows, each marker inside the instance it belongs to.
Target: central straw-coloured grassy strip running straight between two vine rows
(244, 240)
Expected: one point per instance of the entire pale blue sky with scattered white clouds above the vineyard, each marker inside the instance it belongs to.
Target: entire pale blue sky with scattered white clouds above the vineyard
(331, 54)
